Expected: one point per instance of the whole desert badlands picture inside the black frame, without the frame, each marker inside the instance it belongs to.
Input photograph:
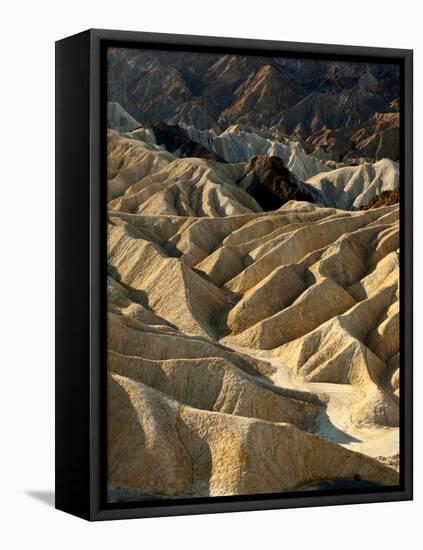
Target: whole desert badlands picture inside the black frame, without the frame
(253, 276)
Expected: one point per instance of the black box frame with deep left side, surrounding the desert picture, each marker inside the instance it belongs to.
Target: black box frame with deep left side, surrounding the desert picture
(81, 275)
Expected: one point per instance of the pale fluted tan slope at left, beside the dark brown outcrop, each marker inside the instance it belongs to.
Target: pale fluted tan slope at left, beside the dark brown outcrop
(145, 178)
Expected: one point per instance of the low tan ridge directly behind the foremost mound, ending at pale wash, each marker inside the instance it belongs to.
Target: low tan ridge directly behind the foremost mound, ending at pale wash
(215, 384)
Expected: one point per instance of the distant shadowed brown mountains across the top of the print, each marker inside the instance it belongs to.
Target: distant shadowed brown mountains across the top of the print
(297, 98)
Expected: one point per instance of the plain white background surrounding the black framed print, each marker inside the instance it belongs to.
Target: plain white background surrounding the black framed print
(28, 31)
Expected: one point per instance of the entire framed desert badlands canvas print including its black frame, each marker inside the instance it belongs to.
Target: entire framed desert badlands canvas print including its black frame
(234, 274)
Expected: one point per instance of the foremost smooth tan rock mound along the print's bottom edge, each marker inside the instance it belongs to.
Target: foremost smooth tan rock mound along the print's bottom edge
(161, 446)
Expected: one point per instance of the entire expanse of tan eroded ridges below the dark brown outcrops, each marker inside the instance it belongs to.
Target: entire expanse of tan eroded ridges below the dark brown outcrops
(249, 351)
